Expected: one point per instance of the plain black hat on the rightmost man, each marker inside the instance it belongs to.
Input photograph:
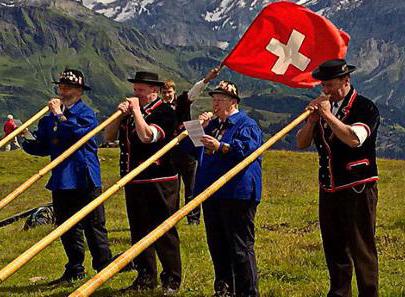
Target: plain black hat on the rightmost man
(332, 69)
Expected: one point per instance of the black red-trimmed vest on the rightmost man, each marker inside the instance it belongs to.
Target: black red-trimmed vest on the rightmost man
(340, 166)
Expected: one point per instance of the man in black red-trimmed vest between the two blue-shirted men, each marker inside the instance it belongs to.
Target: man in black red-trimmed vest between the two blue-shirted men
(146, 126)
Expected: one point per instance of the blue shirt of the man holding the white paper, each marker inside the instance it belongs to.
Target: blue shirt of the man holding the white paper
(243, 136)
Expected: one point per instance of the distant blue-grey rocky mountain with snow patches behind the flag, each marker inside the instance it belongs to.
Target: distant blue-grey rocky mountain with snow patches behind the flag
(377, 45)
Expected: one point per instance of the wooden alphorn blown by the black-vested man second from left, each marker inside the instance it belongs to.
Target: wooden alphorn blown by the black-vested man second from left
(10, 197)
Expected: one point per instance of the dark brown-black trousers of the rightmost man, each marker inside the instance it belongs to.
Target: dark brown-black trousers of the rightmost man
(347, 220)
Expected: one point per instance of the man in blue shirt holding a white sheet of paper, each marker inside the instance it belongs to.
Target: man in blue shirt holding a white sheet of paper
(229, 214)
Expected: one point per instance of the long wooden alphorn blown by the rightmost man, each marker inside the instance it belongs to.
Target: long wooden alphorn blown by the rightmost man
(113, 268)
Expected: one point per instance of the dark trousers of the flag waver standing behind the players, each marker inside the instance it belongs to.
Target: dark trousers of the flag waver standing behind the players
(186, 166)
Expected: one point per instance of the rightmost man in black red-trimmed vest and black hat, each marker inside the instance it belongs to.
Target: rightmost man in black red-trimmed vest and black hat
(344, 128)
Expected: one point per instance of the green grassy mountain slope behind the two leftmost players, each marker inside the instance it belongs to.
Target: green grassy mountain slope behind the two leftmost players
(39, 38)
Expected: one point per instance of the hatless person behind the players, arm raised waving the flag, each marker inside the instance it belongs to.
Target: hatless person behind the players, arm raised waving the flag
(185, 163)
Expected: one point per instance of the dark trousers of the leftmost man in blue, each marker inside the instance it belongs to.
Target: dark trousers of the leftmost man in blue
(66, 203)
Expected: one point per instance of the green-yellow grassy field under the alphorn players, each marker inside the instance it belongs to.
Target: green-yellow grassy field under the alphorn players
(288, 246)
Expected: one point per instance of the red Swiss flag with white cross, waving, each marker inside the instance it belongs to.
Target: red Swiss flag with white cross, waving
(285, 43)
